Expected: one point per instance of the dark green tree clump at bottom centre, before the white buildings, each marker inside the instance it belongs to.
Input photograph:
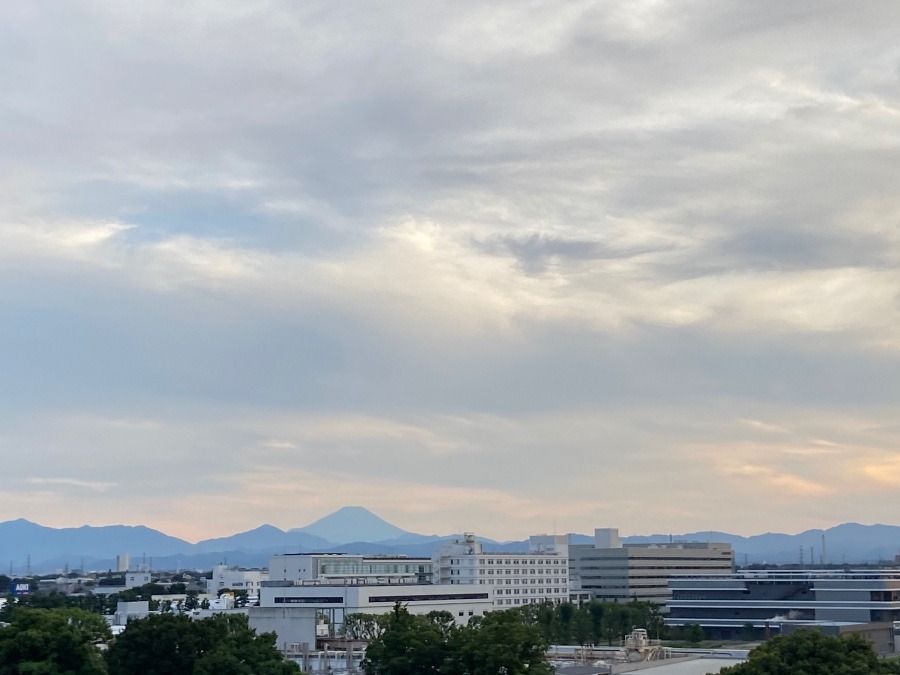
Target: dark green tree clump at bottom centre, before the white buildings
(419, 645)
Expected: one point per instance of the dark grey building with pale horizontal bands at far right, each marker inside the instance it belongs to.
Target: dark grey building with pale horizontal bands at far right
(726, 605)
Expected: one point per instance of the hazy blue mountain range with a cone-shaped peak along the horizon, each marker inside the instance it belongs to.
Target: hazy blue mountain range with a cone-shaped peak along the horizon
(354, 529)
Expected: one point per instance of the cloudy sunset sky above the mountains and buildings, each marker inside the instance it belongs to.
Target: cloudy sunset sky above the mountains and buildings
(508, 267)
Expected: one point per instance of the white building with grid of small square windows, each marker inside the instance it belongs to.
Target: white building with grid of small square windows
(537, 575)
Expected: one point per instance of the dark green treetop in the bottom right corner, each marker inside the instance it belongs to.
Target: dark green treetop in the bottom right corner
(809, 652)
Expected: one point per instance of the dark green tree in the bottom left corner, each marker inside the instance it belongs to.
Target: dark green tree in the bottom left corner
(52, 642)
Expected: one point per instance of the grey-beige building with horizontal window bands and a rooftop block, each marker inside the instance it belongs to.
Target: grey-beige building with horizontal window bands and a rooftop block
(611, 570)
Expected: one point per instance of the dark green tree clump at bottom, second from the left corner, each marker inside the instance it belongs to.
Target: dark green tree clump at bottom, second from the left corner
(168, 644)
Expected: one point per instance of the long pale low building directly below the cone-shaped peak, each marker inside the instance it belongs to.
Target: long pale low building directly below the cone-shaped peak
(324, 567)
